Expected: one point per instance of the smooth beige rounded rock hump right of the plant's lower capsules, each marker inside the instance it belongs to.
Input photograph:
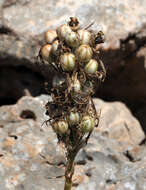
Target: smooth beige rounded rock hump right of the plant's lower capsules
(119, 124)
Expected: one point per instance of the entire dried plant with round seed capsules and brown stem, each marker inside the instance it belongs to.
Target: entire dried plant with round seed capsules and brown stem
(73, 53)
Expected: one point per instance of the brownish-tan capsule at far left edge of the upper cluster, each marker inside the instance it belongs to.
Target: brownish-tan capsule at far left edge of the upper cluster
(46, 52)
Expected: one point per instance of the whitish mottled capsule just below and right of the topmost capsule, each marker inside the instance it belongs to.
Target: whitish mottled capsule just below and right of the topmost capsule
(72, 39)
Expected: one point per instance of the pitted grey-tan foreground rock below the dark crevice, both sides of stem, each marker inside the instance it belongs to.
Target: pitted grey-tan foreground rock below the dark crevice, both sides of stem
(31, 159)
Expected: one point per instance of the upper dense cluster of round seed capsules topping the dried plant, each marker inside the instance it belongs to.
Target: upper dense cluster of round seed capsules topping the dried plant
(69, 47)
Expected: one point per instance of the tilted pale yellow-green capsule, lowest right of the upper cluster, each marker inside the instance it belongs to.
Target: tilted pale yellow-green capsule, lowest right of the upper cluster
(91, 67)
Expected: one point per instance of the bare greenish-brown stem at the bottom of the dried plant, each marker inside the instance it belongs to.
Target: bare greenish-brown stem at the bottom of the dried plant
(69, 172)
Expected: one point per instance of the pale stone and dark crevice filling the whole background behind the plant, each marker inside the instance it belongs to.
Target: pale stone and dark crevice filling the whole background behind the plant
(115, 158)
